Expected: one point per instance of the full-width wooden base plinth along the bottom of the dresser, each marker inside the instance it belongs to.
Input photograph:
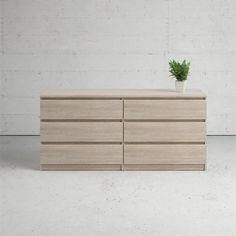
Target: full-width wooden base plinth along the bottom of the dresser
(192, 167)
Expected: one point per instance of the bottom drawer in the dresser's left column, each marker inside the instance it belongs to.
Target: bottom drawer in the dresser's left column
(81, 154)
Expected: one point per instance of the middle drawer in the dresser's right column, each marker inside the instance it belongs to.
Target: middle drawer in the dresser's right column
(164, 131)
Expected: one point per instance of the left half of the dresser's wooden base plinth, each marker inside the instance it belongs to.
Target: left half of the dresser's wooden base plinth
(55, 167)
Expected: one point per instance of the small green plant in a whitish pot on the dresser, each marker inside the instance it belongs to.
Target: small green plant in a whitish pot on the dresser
(180, 72)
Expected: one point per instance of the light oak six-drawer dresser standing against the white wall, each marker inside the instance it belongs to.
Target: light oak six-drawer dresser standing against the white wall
(123, 130)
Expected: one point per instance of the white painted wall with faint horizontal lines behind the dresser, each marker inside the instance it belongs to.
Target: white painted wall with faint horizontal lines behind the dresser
(114, 44)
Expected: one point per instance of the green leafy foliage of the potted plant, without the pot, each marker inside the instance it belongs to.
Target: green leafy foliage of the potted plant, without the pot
(179, 70)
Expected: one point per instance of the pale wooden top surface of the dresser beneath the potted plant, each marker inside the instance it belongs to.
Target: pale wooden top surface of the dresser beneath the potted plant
(122, 93)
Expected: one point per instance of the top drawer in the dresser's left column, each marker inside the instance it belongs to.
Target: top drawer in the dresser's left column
(81, 109)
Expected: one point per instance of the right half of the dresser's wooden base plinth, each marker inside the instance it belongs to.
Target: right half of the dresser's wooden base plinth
(192, 167)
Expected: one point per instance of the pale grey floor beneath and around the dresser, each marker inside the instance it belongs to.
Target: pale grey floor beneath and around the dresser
(116, 203)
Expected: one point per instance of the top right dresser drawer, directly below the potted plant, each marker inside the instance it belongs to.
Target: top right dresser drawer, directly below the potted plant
(165, 109)
